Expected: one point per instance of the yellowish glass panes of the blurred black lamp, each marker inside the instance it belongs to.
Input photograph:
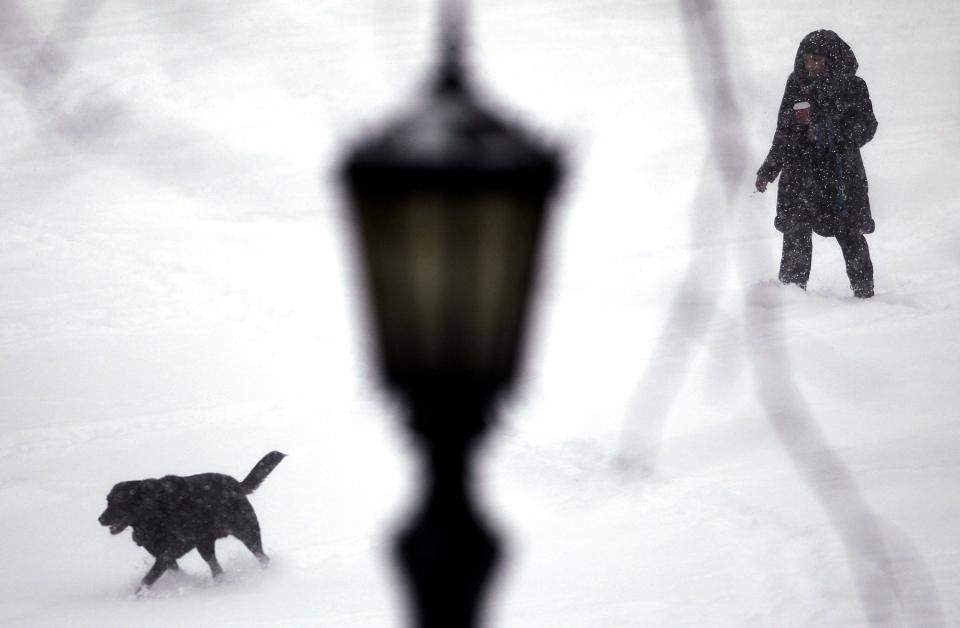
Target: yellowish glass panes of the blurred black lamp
(450, 278)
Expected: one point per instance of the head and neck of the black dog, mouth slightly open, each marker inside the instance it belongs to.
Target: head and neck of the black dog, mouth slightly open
(130, 503)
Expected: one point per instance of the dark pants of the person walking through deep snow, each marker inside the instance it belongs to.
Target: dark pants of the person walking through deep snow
(798, 255)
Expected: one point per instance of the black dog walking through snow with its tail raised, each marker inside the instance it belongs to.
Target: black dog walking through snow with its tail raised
(174, 514)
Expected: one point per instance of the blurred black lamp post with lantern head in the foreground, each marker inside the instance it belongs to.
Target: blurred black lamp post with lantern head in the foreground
(449, 203)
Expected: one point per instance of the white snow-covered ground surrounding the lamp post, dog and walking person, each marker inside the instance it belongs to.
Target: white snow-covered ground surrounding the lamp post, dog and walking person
(691, 445)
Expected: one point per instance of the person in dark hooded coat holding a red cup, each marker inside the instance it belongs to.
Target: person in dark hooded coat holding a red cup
(816, 152)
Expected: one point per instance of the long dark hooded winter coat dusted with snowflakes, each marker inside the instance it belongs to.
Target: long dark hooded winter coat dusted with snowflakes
(823, 184)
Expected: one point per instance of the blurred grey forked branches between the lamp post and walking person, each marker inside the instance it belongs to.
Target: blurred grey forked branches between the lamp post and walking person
(724, 175)
